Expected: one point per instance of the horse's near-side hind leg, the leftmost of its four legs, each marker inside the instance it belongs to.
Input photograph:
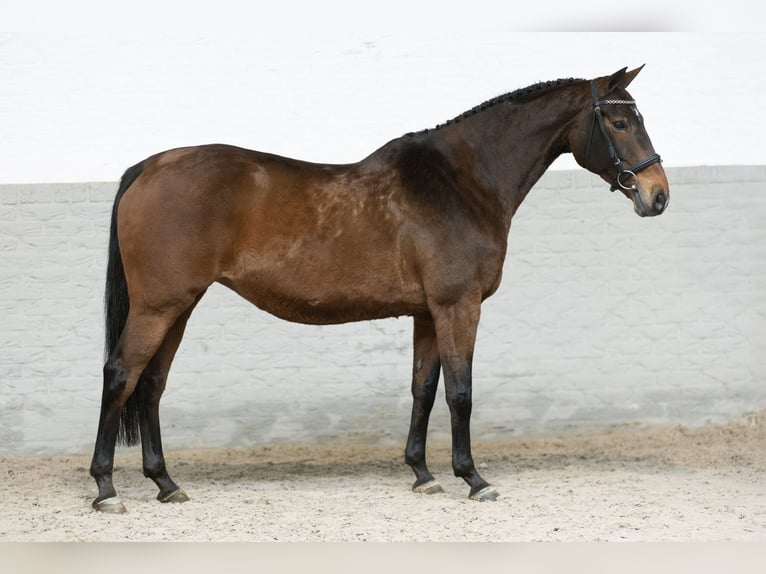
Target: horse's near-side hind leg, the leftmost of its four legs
(144, 333)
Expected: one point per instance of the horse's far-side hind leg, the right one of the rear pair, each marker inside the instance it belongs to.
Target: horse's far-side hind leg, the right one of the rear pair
(152, 385)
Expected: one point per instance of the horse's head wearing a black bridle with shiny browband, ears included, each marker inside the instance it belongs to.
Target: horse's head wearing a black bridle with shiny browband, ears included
(609, 139)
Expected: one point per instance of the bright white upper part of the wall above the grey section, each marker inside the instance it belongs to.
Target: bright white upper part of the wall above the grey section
(87, 90)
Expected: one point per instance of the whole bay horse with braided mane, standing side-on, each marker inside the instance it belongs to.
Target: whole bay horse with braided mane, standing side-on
(417, 228)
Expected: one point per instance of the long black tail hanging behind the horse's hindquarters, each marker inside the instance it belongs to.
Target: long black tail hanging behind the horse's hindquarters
(116, 307)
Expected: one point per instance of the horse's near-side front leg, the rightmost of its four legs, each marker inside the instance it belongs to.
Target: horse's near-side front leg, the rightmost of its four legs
(456, 327)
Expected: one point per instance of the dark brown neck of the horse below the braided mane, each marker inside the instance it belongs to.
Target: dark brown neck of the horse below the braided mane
(514, 144)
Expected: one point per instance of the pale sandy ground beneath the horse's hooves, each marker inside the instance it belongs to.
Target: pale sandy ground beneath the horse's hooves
(659, 484)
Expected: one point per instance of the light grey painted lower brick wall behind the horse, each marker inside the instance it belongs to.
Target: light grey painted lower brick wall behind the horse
(603, 318)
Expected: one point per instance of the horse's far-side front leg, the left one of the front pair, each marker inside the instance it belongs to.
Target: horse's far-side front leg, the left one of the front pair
(425, 380)
